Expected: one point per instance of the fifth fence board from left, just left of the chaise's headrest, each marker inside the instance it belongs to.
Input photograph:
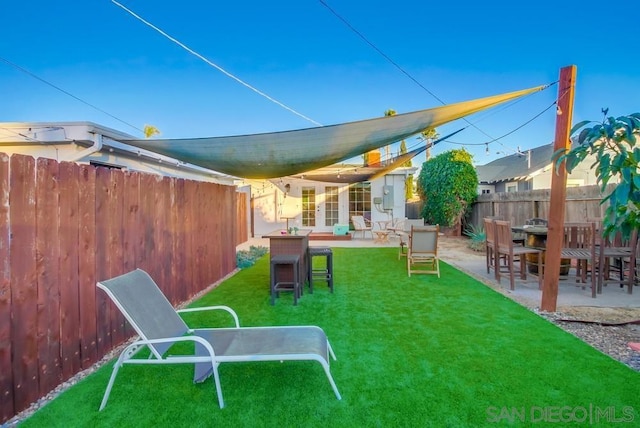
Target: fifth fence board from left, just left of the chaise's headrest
(87, 264)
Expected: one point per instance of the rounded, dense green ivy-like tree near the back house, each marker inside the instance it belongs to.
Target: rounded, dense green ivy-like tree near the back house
(448, 185)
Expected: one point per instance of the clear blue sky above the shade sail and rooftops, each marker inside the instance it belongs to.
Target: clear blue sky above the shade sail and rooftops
(301, 54)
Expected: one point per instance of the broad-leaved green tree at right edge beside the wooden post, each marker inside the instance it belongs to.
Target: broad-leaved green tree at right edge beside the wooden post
(614, 144)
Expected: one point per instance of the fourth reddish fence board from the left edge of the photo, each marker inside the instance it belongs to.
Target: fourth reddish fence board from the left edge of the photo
(69, 293)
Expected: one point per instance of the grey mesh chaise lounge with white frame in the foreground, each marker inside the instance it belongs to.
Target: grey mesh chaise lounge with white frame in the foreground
(160, 327)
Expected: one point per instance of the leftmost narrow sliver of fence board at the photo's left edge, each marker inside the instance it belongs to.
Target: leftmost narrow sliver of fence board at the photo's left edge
(6, 372)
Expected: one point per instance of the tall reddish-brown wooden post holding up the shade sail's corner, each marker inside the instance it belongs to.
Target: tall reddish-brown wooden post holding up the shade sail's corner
(566, 90)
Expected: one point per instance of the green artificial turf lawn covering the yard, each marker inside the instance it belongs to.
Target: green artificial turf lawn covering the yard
(419, 351)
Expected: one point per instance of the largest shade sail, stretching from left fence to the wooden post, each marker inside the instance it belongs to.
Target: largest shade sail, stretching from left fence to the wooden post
(279, 154)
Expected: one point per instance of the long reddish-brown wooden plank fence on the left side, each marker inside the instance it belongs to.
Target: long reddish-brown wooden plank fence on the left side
(64, 226)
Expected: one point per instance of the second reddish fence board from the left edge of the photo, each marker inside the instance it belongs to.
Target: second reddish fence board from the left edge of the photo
(22, 211)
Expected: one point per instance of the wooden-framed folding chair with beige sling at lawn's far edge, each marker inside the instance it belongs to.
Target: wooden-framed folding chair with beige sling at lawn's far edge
(422, 250)
